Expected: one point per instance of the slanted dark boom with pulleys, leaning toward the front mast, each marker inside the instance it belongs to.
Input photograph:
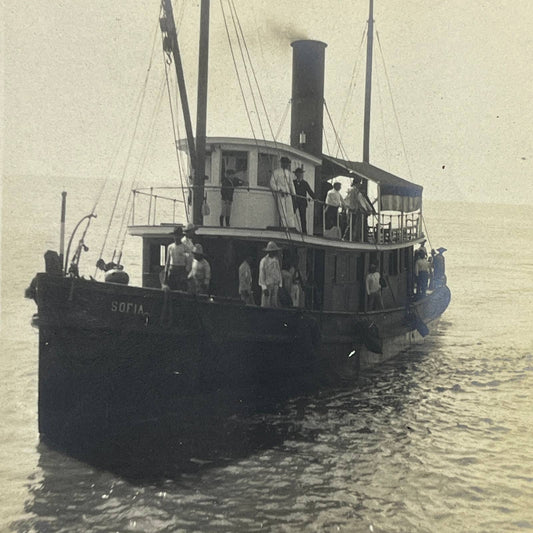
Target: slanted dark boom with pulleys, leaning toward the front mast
(170, 43)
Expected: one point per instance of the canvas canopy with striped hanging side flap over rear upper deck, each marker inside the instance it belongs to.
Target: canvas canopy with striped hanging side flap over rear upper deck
(396, 193)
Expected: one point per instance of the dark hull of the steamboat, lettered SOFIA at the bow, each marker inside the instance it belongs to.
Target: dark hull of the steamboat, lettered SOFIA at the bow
(114, 356)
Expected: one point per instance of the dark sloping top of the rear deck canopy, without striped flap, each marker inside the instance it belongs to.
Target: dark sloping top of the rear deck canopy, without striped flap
(389, 183)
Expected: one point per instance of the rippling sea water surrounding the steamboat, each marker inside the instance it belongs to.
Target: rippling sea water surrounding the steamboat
(439, 439)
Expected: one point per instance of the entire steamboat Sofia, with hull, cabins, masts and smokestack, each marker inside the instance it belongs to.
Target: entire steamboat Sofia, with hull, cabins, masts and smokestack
(337, 293)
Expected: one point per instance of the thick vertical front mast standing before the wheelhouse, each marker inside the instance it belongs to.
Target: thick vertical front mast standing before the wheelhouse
(201, 116)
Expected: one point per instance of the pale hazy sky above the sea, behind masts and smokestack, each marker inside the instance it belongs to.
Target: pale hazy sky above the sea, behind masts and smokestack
(457, 118)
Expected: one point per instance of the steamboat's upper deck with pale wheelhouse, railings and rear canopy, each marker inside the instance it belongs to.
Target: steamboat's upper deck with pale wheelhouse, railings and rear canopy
(395, 220)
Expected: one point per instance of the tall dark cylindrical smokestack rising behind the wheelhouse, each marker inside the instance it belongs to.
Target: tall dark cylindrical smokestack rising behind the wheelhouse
(307, 95)
